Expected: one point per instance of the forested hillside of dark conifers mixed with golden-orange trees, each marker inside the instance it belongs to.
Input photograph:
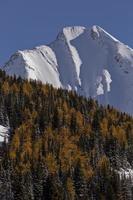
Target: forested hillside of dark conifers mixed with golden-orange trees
(62, 146)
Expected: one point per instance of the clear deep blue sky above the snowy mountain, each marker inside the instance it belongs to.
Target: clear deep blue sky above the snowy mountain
(28, 23)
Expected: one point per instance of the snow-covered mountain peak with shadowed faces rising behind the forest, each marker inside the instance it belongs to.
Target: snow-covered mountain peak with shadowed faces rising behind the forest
(88, 60)
